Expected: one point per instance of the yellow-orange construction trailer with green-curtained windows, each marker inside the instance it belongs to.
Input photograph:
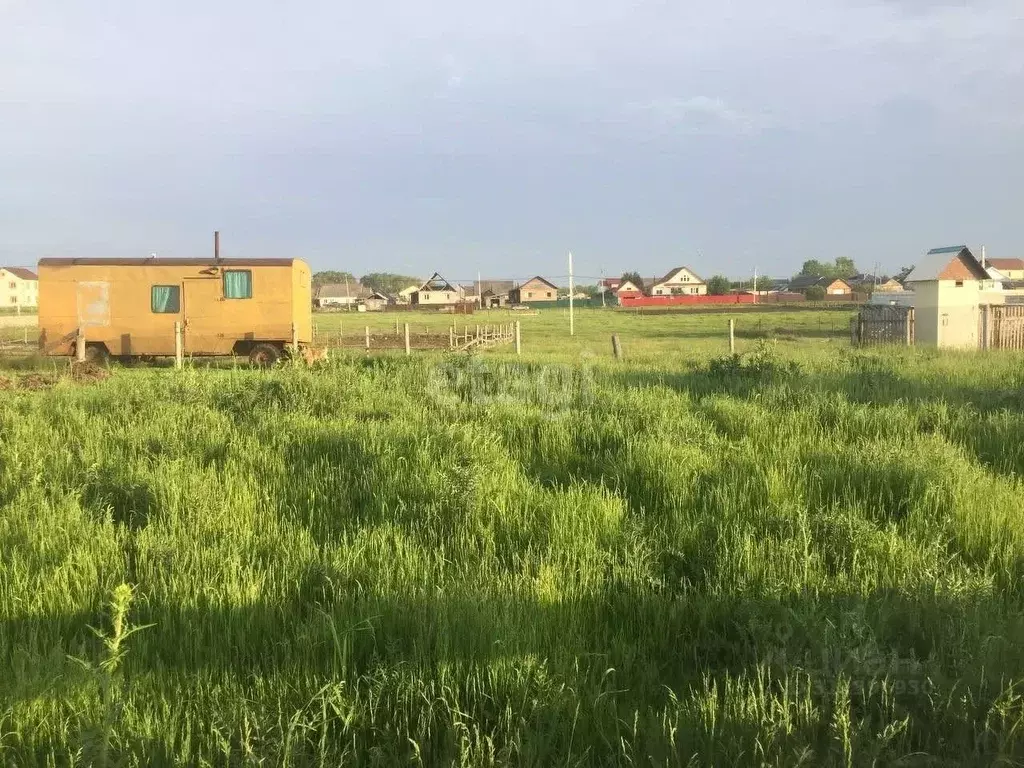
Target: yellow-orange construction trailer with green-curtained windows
(130, 308)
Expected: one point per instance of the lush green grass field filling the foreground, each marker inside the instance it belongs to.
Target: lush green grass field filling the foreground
(808, 556)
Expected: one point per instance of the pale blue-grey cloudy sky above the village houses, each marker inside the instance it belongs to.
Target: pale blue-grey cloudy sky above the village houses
(467, 138)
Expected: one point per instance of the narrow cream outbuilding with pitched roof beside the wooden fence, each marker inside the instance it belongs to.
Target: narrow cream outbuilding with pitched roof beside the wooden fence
(948, 285)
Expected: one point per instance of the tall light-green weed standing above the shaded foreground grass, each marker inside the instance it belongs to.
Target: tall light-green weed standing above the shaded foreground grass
(106, 671)
